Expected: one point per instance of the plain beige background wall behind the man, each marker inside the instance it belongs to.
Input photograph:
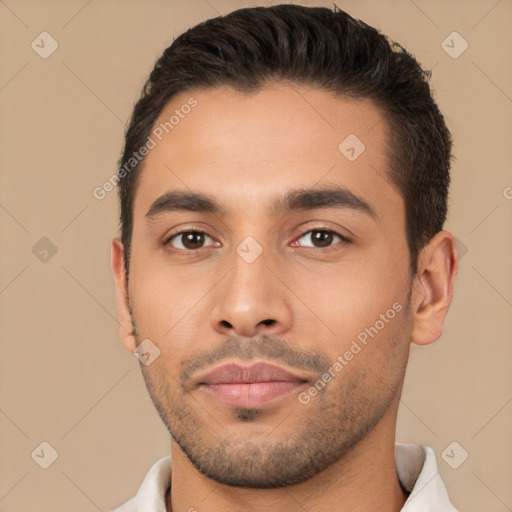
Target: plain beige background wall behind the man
(65, 379)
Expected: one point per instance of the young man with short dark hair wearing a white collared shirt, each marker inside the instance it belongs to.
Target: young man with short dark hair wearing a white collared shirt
(283, 190)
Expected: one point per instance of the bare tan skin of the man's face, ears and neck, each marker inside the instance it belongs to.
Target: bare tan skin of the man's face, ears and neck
(296, 305)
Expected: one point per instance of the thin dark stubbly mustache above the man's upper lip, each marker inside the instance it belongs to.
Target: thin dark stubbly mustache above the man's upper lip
(270, 348)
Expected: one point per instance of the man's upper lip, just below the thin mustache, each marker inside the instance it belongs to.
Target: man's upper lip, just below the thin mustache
(230, 373)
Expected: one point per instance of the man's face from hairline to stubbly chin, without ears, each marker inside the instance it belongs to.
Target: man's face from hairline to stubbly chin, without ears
(277, 290)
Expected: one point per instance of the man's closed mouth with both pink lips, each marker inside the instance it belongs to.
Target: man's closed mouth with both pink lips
(250, 386)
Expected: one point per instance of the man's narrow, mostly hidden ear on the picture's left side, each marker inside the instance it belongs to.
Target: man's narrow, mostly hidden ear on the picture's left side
(126, 331)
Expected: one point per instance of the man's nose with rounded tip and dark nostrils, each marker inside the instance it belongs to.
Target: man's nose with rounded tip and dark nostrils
(251, 300)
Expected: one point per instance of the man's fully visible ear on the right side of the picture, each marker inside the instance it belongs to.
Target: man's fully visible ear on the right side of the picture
(433, 288)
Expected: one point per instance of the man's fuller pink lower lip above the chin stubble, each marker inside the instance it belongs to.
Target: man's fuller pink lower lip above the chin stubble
(254, 394)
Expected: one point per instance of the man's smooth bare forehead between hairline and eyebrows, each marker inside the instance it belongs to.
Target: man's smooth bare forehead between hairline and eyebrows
(248, 149)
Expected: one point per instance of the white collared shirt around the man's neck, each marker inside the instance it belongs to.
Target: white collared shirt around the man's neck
(416, 467)
